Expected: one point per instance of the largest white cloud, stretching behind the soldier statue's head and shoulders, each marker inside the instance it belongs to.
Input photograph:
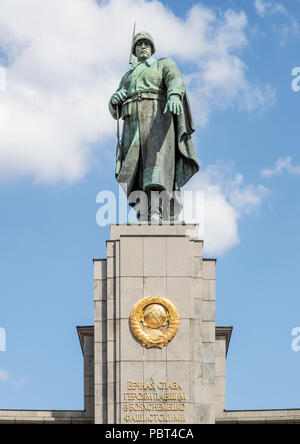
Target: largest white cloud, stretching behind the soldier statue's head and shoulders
(65, 59)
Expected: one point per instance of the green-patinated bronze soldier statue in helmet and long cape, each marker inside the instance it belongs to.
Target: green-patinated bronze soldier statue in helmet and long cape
(156, 152)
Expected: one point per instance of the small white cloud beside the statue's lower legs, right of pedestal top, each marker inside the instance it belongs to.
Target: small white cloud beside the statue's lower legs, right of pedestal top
(227, 198)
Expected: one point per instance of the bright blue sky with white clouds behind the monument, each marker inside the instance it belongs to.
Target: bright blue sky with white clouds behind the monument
(57, 147)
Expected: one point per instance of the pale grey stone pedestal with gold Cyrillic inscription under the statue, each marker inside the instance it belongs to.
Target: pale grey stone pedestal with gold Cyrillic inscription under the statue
(173, 384)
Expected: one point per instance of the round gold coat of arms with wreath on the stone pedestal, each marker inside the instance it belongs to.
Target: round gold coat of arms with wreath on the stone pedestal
(154, 321)
